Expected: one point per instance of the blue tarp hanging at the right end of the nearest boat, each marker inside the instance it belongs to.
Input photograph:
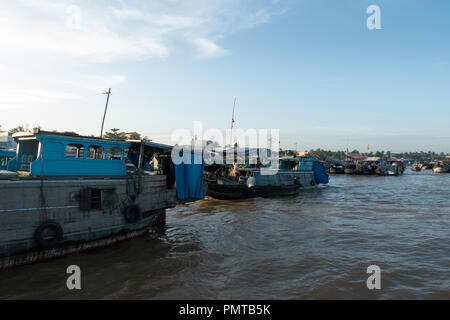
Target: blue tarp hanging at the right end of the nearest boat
(189, 179)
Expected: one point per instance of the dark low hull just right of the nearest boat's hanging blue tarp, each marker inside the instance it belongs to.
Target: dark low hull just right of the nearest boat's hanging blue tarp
(241, 191)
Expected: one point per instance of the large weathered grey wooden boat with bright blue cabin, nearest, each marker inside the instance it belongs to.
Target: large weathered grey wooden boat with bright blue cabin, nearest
(68, 193)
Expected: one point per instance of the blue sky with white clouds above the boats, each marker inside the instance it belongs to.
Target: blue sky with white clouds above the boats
(309, 68)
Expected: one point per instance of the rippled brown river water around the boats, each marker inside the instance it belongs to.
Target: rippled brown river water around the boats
(316, 245)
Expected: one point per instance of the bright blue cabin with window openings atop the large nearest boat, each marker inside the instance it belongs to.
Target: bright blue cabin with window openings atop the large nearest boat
(44, 153)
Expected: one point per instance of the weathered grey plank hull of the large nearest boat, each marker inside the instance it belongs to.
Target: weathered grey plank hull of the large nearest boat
(25, 204)
